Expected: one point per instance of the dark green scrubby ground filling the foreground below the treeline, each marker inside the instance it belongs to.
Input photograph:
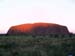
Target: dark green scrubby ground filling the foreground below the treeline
(21, 45)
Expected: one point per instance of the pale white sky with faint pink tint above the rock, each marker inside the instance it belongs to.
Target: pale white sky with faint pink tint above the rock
(15, 12)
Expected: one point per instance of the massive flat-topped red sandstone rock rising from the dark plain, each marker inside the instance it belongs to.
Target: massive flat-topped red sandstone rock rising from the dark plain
(38, 29)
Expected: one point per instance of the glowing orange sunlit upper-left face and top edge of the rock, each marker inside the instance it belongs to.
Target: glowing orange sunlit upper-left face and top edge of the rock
(28, 27)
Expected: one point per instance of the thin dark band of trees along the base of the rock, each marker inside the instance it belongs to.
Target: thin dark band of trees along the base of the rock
(50, 35)
